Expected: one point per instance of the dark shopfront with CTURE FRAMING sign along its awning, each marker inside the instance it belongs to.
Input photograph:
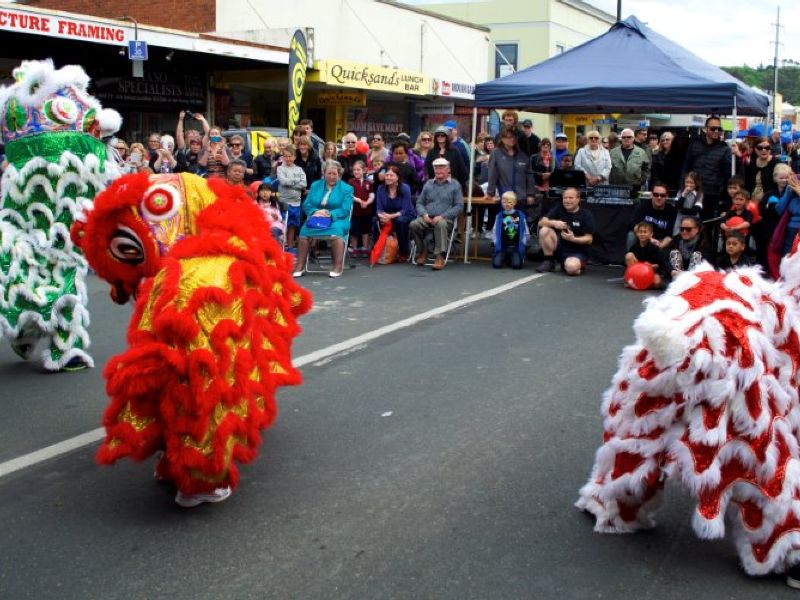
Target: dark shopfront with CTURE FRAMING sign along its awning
(178, 75)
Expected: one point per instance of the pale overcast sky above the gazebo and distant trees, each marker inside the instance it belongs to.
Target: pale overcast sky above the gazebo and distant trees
(722, 32)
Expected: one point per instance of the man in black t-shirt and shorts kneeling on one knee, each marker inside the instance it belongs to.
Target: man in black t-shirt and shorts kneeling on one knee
(565, 235)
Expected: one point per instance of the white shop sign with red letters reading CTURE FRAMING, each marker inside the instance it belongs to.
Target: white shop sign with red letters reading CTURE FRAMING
(61, 27)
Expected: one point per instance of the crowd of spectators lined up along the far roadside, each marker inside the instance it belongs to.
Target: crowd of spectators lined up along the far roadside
(685, 216)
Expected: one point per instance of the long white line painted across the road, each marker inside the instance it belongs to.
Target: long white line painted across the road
(318, 356)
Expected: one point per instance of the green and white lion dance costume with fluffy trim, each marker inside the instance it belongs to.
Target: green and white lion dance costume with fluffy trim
(57, 164)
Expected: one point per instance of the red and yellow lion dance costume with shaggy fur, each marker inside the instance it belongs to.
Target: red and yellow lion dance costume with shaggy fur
(210, 338)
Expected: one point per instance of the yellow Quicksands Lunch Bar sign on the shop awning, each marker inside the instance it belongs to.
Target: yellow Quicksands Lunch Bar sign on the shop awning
(371, 77)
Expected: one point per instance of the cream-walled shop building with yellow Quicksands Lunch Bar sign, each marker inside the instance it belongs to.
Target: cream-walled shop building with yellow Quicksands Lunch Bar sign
(366, 81)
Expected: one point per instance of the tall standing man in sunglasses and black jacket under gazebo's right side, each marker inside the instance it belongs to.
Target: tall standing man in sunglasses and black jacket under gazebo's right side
(710, 156)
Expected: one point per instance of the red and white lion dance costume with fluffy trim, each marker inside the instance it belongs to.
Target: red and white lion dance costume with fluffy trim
(709, 393)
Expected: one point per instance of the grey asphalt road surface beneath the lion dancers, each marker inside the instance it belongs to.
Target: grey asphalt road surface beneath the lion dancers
(439, 461)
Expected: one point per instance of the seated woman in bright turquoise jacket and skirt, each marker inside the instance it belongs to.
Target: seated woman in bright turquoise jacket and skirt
(327, 207)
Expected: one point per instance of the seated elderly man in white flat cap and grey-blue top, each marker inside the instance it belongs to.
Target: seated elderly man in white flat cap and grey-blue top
(438, 205)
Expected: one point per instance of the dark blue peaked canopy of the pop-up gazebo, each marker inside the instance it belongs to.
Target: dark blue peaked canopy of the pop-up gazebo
(629, 69)
